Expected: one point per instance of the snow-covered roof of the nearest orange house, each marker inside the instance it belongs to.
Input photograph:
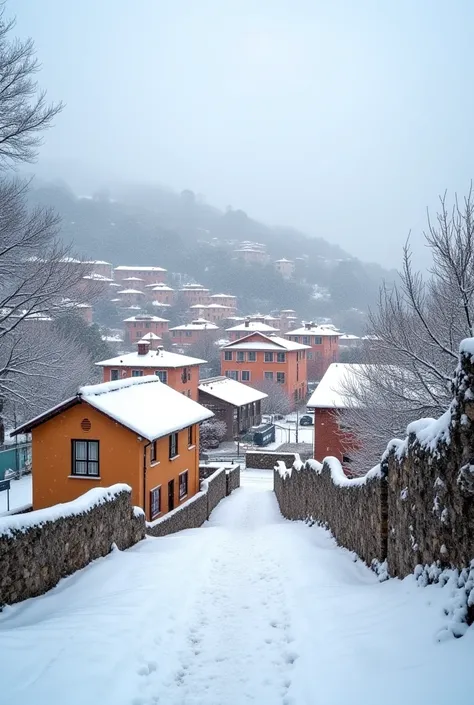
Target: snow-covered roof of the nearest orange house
(145, 405)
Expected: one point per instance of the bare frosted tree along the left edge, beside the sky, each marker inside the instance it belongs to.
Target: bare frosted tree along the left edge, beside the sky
(39, 277)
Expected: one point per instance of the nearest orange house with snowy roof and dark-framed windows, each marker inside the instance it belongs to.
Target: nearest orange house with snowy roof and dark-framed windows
(137, 431)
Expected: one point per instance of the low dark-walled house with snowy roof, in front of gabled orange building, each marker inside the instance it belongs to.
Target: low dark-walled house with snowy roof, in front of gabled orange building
(237, 404)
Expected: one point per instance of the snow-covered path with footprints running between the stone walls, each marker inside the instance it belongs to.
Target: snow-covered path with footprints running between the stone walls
(249, 609)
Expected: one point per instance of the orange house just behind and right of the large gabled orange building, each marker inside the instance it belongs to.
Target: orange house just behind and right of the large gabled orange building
(324, 342)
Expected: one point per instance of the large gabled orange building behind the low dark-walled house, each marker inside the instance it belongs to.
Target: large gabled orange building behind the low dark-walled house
(260, 359)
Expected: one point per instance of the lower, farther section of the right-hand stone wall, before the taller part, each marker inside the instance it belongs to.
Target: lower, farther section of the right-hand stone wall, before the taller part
(354, 510)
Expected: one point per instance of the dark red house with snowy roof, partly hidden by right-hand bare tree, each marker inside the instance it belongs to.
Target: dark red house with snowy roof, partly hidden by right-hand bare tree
(329, 401)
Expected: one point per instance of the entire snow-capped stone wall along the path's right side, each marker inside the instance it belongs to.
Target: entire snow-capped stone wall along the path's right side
(417, 507)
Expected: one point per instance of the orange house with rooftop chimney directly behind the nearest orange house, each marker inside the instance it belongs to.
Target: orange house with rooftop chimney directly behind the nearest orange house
(180, 372)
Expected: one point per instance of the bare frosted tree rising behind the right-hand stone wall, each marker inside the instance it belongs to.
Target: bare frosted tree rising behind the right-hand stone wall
(416, 328)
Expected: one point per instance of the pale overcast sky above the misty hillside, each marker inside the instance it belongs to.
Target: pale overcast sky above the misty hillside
(344, 118)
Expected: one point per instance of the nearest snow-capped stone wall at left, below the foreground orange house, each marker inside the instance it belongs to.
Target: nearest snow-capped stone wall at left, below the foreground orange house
(39, 548)
